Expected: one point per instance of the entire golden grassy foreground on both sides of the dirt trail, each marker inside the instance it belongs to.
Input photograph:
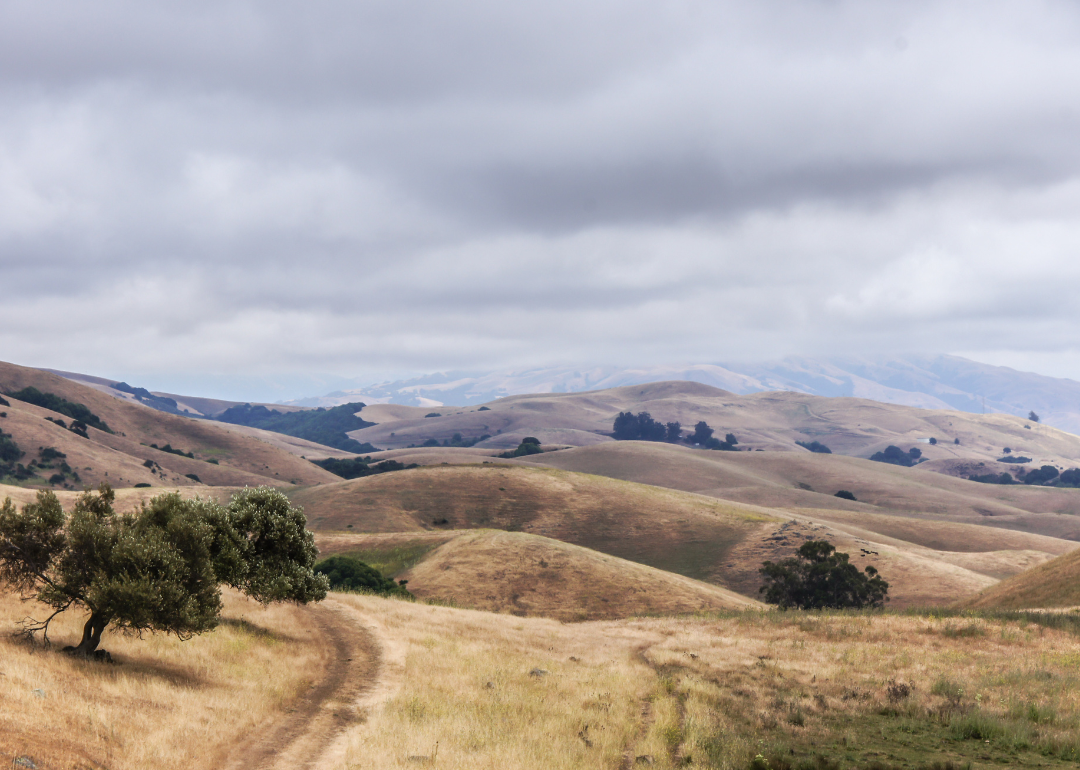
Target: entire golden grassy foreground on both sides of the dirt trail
(737, 691)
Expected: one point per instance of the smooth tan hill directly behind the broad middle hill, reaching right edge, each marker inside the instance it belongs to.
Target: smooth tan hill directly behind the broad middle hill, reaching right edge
(796, 481)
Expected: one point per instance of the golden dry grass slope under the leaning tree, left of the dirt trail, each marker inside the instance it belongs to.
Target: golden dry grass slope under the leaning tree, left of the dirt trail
(167, 705)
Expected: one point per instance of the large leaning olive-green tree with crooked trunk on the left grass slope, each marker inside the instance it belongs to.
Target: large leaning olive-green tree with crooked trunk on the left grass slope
(159, 570)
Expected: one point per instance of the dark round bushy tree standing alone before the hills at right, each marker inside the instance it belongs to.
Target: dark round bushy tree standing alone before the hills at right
(818, 578)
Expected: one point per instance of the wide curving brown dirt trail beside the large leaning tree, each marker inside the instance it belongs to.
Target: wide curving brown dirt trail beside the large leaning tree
(301, 737)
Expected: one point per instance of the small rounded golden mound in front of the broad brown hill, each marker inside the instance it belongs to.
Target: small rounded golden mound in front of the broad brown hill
(529, 575)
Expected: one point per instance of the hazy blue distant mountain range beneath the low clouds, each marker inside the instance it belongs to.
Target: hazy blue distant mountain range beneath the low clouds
(931, 383)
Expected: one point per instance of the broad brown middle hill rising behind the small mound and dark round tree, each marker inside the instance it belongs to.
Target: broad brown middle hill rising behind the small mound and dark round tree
(707, 539)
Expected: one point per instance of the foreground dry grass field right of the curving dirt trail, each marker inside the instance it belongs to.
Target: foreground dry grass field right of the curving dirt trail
(713, 692)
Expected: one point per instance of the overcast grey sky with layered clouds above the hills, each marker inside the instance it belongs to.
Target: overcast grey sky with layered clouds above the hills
(202, 194)
